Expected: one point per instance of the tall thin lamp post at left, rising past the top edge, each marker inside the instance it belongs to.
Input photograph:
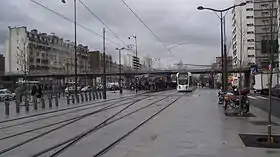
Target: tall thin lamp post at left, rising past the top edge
(75, 46)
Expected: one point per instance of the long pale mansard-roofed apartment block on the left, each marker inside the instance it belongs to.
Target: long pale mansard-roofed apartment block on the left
(36, 52)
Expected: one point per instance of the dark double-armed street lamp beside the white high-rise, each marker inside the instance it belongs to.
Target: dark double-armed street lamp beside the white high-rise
(223, 45)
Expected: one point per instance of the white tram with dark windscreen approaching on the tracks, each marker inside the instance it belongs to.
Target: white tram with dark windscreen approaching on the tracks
(184, 82)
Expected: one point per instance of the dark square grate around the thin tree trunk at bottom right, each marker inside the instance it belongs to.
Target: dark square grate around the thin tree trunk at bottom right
(260, 141)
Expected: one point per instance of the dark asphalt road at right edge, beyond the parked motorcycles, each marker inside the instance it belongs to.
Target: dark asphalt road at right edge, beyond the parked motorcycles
(262, 102)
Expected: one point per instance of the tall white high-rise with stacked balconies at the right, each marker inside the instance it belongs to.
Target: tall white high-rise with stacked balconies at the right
(251, 32)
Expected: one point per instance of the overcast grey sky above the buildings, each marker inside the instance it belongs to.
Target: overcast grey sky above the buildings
(172, 21)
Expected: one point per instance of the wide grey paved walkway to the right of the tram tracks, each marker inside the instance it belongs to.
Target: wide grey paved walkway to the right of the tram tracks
(196, 127)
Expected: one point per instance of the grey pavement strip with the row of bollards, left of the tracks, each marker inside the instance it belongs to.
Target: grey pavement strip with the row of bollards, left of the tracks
(62, 104)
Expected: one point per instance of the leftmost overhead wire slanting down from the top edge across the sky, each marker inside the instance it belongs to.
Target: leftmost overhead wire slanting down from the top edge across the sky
(70, 20)
